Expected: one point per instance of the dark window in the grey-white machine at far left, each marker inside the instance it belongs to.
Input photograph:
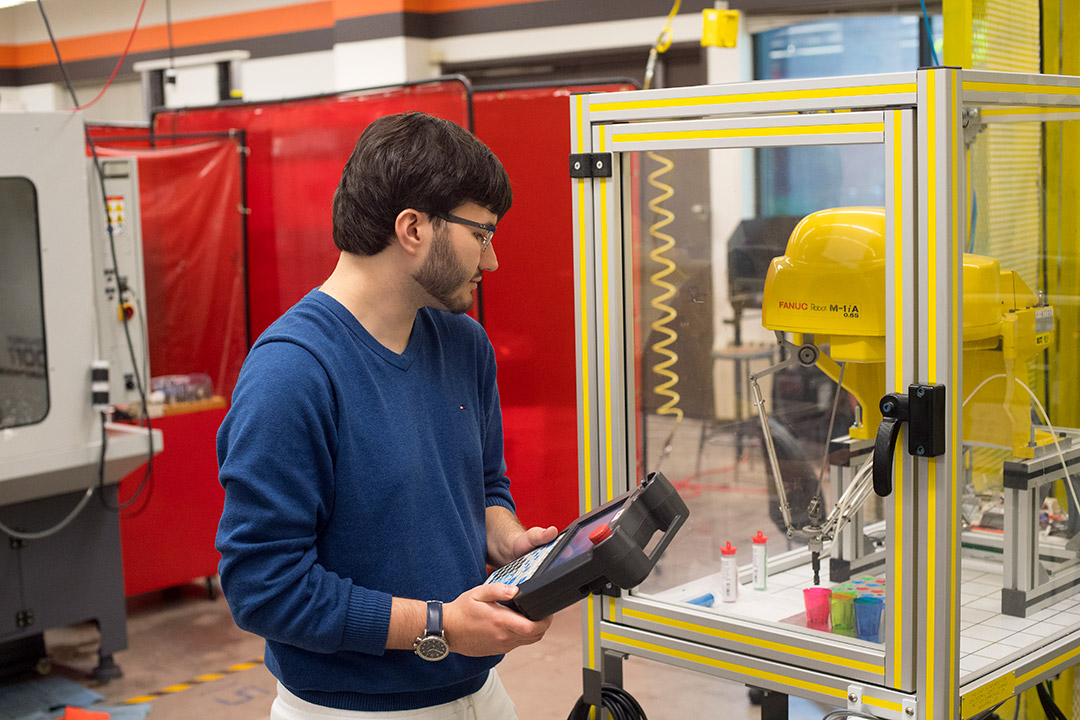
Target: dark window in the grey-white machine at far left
(24, 384)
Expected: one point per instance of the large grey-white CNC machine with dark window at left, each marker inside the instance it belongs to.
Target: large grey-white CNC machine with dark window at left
(72, 349)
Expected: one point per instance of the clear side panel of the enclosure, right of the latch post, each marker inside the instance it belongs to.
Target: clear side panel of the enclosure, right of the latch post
(1020, 563)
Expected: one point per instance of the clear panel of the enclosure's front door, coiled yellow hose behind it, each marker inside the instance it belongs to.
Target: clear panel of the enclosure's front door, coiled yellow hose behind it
(713, 297)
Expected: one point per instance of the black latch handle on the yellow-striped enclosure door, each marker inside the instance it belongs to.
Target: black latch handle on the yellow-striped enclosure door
(924, 410)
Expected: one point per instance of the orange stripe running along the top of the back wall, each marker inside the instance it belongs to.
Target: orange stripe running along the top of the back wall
(320, 15)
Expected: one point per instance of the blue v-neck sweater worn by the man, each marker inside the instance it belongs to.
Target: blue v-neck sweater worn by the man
(354, 474)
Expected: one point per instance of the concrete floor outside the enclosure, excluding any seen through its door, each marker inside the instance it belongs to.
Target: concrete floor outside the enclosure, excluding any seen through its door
(181, 635)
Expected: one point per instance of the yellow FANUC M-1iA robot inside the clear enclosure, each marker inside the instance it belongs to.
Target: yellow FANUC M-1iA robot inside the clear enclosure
(829, 293)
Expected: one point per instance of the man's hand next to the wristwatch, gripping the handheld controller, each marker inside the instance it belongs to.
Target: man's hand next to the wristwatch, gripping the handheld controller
(477, 626)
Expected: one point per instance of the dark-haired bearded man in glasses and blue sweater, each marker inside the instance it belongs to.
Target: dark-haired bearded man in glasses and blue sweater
(362, 458)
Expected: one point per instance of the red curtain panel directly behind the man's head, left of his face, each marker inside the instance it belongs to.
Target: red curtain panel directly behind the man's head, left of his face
(296, 152)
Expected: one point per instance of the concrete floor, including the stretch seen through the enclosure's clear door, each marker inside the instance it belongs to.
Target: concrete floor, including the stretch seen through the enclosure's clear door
(182, 634)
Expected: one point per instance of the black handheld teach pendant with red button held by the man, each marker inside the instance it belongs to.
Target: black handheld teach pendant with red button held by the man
(606, 549)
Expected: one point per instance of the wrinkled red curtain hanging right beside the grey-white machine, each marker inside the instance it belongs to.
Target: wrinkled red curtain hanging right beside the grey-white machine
(193, 255)
